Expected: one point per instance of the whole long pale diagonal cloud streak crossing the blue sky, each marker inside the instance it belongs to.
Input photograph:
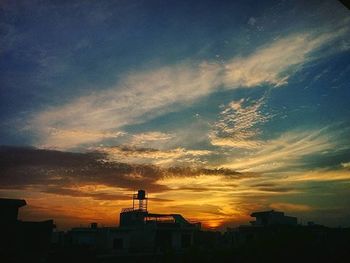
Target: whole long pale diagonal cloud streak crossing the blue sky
(141, 96)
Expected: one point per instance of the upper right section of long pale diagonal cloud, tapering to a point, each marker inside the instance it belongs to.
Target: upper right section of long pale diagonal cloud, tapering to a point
(276, 62)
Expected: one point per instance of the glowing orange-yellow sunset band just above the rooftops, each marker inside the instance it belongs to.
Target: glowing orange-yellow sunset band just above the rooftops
(212, 200)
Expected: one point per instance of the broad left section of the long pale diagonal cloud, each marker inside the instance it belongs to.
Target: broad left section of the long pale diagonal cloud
(138, 97)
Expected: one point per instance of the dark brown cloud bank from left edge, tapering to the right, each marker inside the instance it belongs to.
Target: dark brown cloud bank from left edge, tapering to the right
(69, 173)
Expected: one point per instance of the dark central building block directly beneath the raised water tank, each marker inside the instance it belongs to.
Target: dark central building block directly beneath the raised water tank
(160, 231)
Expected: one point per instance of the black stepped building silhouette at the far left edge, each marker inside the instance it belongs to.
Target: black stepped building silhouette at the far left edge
(22, 241)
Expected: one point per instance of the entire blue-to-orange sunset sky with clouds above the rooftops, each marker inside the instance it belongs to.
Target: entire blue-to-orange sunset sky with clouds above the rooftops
(215, 108)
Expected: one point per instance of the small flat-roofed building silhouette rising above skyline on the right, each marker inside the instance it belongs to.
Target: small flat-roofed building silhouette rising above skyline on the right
(268, 218)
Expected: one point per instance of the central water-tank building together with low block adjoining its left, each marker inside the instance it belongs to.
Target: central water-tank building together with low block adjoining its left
(138, 231)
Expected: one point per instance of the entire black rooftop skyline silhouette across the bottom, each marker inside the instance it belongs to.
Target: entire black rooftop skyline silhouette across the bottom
(273, 237)
